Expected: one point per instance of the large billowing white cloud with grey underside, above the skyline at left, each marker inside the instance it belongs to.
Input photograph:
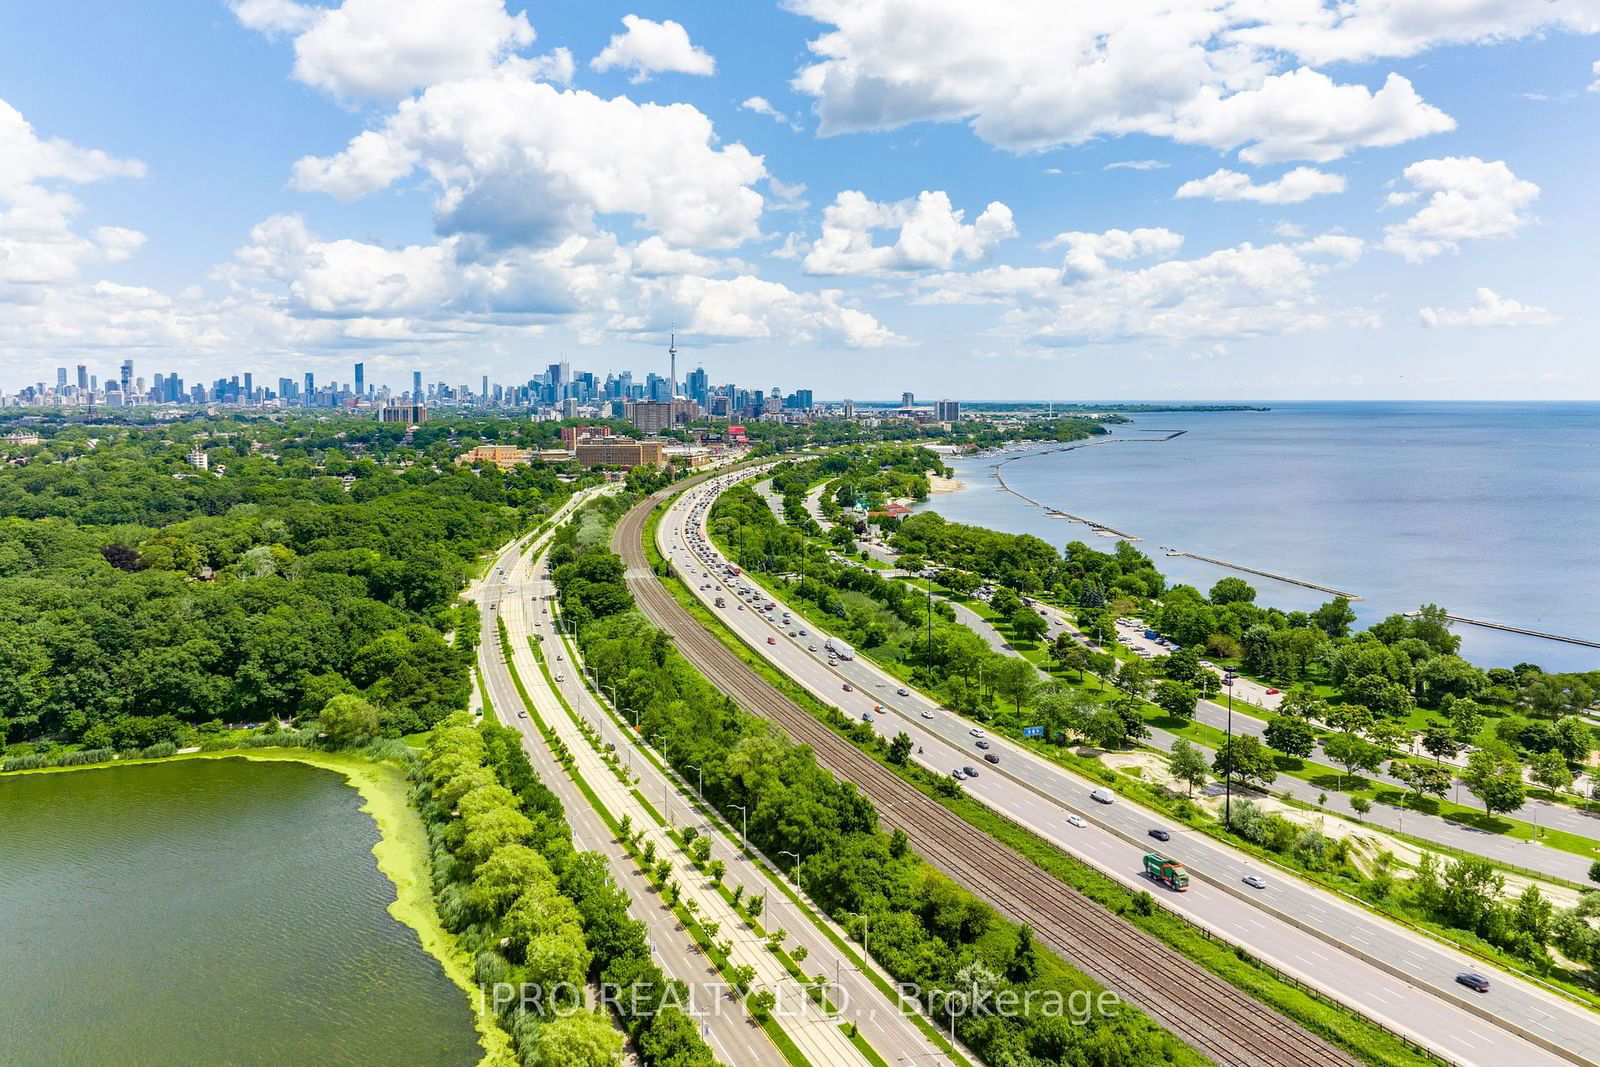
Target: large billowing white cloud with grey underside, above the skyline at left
(526, 162)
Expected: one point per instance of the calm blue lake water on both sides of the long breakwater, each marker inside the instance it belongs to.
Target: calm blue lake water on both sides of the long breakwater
(1489, 510)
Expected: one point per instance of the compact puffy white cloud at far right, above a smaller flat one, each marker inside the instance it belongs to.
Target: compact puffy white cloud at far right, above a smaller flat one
(1468, 199)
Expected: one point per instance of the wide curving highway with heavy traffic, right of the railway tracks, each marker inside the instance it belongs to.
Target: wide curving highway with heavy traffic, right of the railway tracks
(1374, 965)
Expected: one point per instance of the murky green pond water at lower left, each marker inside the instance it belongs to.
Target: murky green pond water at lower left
(209, 913)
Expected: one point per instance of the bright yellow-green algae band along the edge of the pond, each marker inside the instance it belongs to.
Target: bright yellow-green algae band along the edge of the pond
(401, 853)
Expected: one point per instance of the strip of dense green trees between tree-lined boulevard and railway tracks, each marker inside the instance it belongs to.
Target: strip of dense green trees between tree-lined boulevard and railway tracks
(924, 929)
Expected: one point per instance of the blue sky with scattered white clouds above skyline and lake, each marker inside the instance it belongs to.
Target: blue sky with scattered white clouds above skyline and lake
(1194, 199)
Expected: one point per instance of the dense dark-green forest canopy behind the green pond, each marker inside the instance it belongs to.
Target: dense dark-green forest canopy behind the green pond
(143, 597)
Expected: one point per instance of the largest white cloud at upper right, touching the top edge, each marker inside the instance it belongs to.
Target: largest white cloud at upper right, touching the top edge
(1030, 78)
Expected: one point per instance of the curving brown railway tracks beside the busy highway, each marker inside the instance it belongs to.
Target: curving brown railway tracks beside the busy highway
(1193, 1004)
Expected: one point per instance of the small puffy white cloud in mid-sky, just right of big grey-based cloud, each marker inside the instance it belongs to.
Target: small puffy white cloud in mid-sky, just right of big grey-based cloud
(930, 234)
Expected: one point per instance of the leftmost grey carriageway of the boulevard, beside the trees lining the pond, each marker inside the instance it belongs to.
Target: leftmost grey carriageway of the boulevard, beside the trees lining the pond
(732, 1036)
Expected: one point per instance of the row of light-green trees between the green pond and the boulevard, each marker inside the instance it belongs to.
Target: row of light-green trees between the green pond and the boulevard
(537, 914)
